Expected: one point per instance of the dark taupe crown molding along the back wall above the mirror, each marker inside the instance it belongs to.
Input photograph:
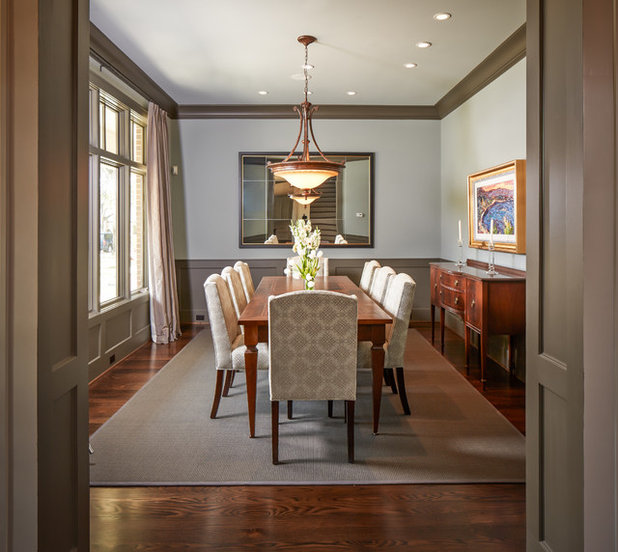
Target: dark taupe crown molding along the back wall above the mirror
(284, 111)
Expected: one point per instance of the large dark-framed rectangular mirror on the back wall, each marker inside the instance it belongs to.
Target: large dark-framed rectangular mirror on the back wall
(343, 212)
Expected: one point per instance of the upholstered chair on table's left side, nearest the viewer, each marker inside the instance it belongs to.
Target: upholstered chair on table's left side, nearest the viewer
(227, 338)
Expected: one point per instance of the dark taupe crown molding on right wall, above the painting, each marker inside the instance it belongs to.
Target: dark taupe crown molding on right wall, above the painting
(512, 50)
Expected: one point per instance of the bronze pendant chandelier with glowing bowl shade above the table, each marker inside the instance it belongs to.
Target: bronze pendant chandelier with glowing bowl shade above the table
(302, 172)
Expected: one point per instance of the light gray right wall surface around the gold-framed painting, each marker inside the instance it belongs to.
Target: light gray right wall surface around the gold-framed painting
(487, 130)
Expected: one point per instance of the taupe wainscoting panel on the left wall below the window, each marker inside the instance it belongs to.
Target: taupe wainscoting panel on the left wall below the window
(115, 333)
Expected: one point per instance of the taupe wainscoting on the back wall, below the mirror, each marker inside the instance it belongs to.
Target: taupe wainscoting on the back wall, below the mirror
(191, 274)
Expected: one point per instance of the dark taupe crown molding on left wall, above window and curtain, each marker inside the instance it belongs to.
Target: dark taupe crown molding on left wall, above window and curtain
(107, 53)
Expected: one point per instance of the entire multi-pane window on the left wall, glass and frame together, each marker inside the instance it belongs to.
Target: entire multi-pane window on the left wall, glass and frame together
(117, 257)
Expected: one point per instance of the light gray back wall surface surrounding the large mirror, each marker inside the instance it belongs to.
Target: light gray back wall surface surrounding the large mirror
(205, 194)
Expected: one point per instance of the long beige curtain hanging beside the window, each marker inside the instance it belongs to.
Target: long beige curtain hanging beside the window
(164, 317)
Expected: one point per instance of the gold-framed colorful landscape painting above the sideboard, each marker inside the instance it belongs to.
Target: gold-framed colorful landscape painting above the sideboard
(499, 195)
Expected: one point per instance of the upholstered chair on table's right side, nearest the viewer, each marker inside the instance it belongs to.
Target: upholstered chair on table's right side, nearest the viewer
(398, 303)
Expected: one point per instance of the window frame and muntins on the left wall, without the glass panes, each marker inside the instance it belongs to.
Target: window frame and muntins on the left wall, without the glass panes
(123, 160)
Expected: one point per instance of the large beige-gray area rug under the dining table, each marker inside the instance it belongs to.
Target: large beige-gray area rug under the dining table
(164, 436)
